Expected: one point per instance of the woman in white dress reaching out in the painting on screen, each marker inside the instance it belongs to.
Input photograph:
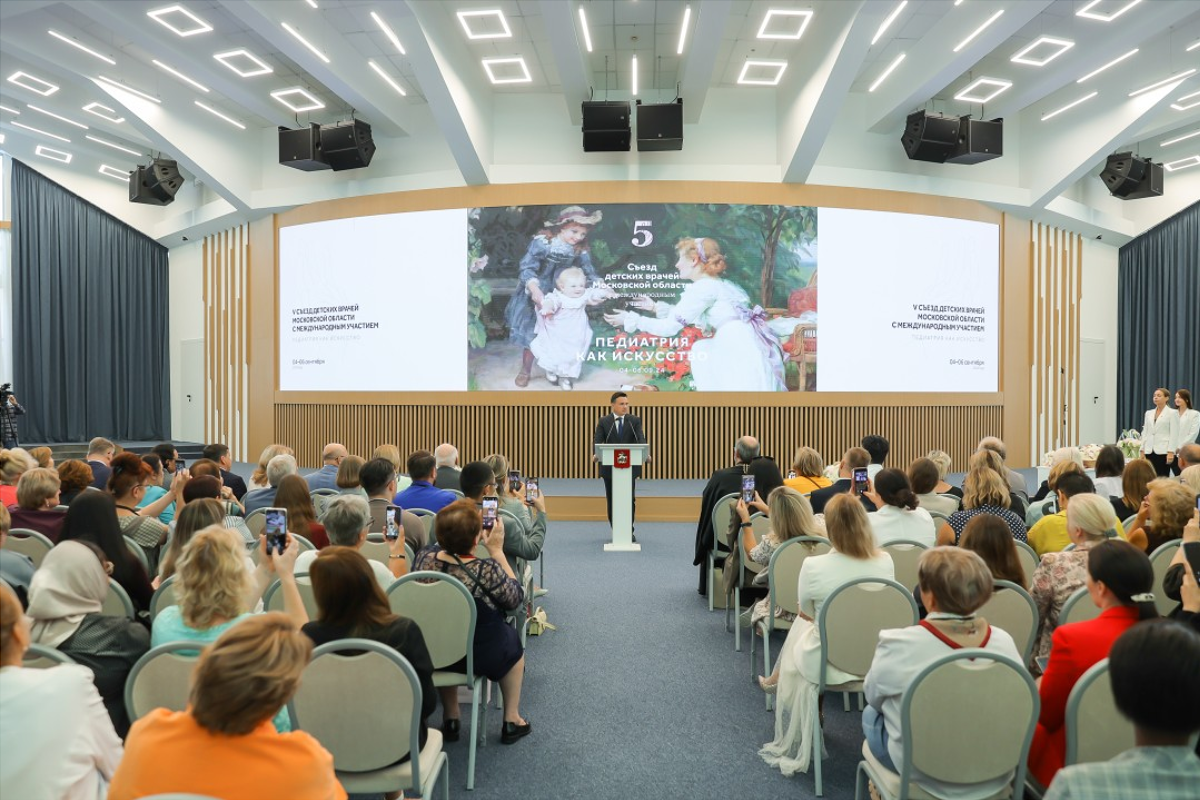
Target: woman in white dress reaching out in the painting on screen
(743, 353)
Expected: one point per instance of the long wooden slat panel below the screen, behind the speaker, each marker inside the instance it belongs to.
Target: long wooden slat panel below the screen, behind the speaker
(689, 442)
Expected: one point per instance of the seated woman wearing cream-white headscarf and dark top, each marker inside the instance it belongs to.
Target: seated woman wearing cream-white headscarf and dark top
(64, 609)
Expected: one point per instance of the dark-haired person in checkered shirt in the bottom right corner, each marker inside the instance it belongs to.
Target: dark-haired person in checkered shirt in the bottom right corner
(1166, 713)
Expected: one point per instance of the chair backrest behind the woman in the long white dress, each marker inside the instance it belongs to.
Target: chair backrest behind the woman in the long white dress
(853, 617)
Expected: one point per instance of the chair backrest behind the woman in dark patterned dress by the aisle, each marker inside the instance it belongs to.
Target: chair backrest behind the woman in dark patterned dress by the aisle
(445, 611)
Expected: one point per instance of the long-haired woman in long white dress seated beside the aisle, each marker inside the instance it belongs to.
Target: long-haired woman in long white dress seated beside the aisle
(797, 669)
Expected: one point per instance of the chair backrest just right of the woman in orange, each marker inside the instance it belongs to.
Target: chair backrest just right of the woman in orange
(363, 731)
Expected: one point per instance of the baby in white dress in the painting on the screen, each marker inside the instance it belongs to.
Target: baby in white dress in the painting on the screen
(563, 333)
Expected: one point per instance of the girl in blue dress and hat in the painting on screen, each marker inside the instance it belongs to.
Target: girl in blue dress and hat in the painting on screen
(561, 245)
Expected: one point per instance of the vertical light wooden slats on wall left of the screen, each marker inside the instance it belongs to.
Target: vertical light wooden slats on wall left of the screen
(226, 341)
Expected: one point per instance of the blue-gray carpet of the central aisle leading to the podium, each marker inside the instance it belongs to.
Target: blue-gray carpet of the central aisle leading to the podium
(639, 694)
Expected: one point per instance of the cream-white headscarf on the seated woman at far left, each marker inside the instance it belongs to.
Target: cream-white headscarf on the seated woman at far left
(70, 585)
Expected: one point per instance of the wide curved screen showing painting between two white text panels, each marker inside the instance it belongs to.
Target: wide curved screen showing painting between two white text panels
(652, 297)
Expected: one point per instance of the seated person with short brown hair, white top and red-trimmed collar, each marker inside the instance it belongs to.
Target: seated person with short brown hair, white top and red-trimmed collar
(955, 584)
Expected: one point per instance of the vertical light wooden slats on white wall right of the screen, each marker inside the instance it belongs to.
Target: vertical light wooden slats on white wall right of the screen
(1055, 292)
